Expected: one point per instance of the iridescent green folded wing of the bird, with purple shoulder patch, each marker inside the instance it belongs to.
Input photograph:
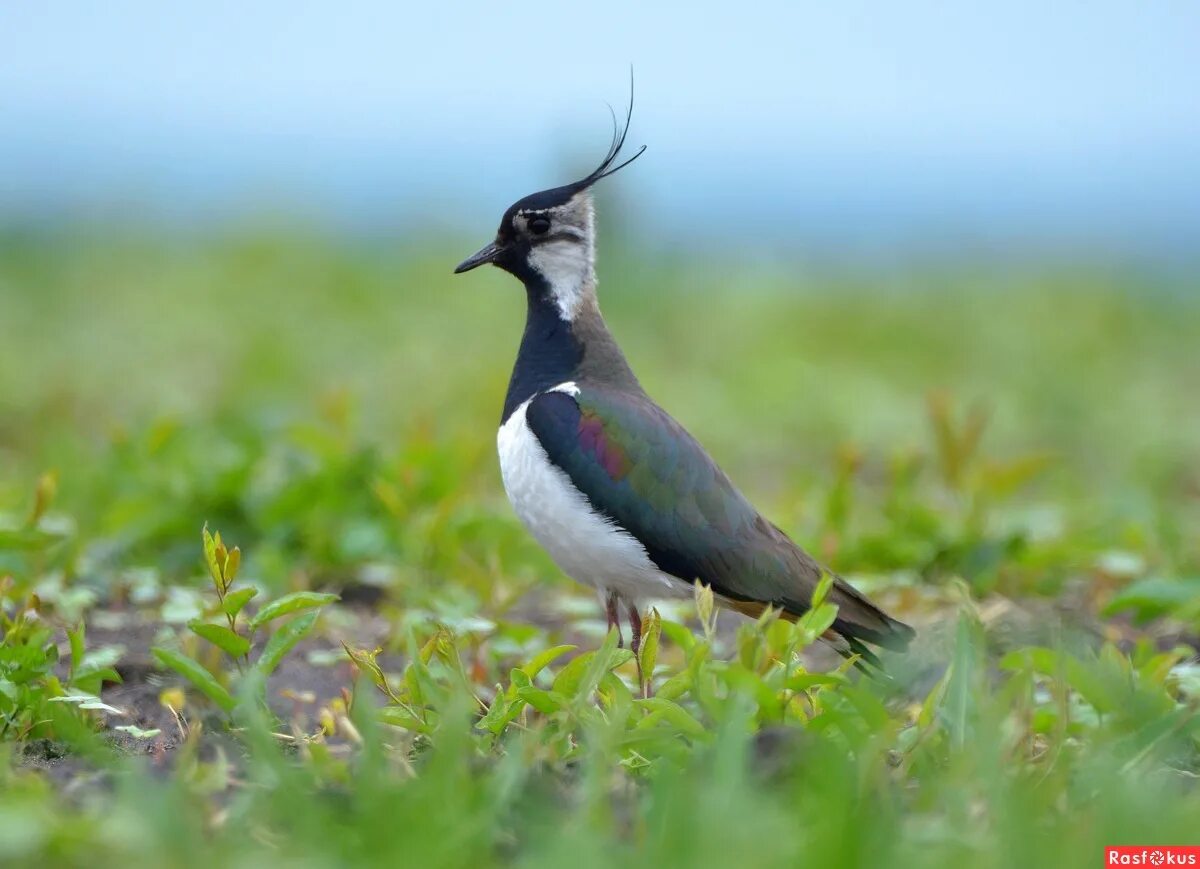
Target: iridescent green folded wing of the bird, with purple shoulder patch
(644, 471)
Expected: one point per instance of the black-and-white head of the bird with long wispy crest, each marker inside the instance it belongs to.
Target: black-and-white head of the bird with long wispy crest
(548, 239)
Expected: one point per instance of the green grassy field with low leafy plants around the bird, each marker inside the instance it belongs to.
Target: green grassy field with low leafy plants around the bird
(1004, 456)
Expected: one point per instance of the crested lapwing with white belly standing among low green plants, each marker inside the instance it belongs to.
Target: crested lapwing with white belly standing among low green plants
(621, 496)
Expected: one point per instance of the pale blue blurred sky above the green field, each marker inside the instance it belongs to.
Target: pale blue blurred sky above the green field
(853, 123)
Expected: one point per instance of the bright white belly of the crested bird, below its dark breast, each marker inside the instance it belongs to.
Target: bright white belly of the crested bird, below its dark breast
(589, 547)
